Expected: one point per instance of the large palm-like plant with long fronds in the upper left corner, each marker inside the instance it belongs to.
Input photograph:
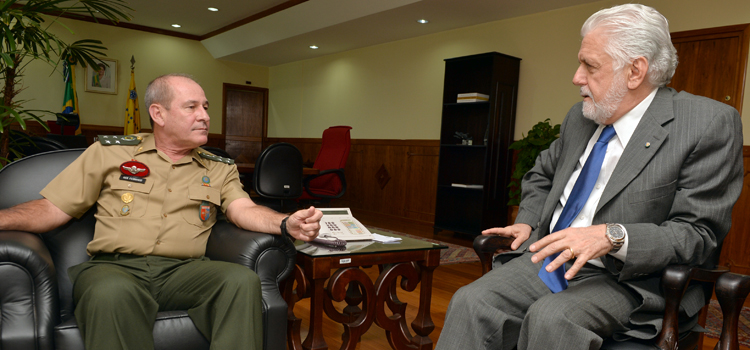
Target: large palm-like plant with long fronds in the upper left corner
(25, 36)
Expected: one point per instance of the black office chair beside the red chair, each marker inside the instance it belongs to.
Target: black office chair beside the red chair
(278, 177)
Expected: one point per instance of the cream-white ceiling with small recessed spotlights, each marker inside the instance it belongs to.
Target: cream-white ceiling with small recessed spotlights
(333, 25)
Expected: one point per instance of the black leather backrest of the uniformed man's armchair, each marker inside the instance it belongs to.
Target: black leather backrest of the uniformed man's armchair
(21, 181)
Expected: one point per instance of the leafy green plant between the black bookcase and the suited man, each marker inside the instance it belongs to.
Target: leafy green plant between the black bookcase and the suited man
(537, 140)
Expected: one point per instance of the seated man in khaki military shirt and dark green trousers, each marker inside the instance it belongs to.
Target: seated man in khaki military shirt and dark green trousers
(157, 197)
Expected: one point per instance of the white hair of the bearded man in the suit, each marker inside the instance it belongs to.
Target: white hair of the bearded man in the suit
(633, 31)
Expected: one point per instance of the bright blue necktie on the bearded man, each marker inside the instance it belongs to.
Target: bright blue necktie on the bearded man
(555, 280)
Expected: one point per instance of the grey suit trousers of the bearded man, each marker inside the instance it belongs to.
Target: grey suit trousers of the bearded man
(511, 307)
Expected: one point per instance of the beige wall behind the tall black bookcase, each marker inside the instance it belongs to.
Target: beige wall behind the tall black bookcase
(394, 90)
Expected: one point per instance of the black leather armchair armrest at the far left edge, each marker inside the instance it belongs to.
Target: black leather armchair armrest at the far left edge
(28, 292)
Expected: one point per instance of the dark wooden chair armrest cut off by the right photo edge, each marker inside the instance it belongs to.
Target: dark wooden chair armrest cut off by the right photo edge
(731, 291)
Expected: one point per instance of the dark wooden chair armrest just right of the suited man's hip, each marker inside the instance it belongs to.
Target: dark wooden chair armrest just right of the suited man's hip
(674, 282)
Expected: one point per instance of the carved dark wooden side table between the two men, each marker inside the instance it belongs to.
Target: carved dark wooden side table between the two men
(412, 259)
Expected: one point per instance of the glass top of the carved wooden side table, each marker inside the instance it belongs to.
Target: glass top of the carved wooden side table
(367, 247)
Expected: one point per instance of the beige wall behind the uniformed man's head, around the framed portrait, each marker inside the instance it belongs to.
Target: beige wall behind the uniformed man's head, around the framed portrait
(155, 55)
